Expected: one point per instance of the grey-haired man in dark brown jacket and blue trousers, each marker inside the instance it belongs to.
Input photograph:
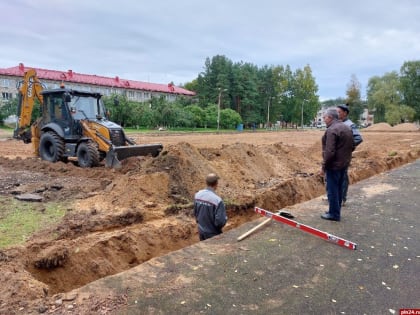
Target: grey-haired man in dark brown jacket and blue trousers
(337, 146)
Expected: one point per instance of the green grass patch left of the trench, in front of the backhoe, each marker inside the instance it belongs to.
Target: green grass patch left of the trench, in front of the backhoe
(19, 219)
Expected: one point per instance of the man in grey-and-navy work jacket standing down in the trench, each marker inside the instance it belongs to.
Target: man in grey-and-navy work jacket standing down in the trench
(209, 209)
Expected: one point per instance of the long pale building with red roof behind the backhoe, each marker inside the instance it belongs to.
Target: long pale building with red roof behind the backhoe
(133, 90)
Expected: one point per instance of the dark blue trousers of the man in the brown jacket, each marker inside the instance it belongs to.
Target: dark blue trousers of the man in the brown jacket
(335, 180)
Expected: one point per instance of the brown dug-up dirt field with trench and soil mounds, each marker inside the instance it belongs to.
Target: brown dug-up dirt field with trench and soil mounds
(117, 219)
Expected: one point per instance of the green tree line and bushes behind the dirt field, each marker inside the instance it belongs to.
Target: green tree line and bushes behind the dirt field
(231, 93)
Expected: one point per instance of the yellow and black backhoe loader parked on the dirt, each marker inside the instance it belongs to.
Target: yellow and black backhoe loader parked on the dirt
(73, 124)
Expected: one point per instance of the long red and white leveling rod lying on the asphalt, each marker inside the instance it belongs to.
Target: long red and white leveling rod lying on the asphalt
(326, 236)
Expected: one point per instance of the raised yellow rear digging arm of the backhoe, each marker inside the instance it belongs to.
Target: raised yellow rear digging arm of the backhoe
(30, 89)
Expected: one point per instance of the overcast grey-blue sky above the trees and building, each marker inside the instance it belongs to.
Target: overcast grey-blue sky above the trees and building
(168, 41)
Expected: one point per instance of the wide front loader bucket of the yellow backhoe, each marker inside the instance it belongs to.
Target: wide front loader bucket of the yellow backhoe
(117, 154)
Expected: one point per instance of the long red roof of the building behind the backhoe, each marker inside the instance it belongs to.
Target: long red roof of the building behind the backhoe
(116, 82)
